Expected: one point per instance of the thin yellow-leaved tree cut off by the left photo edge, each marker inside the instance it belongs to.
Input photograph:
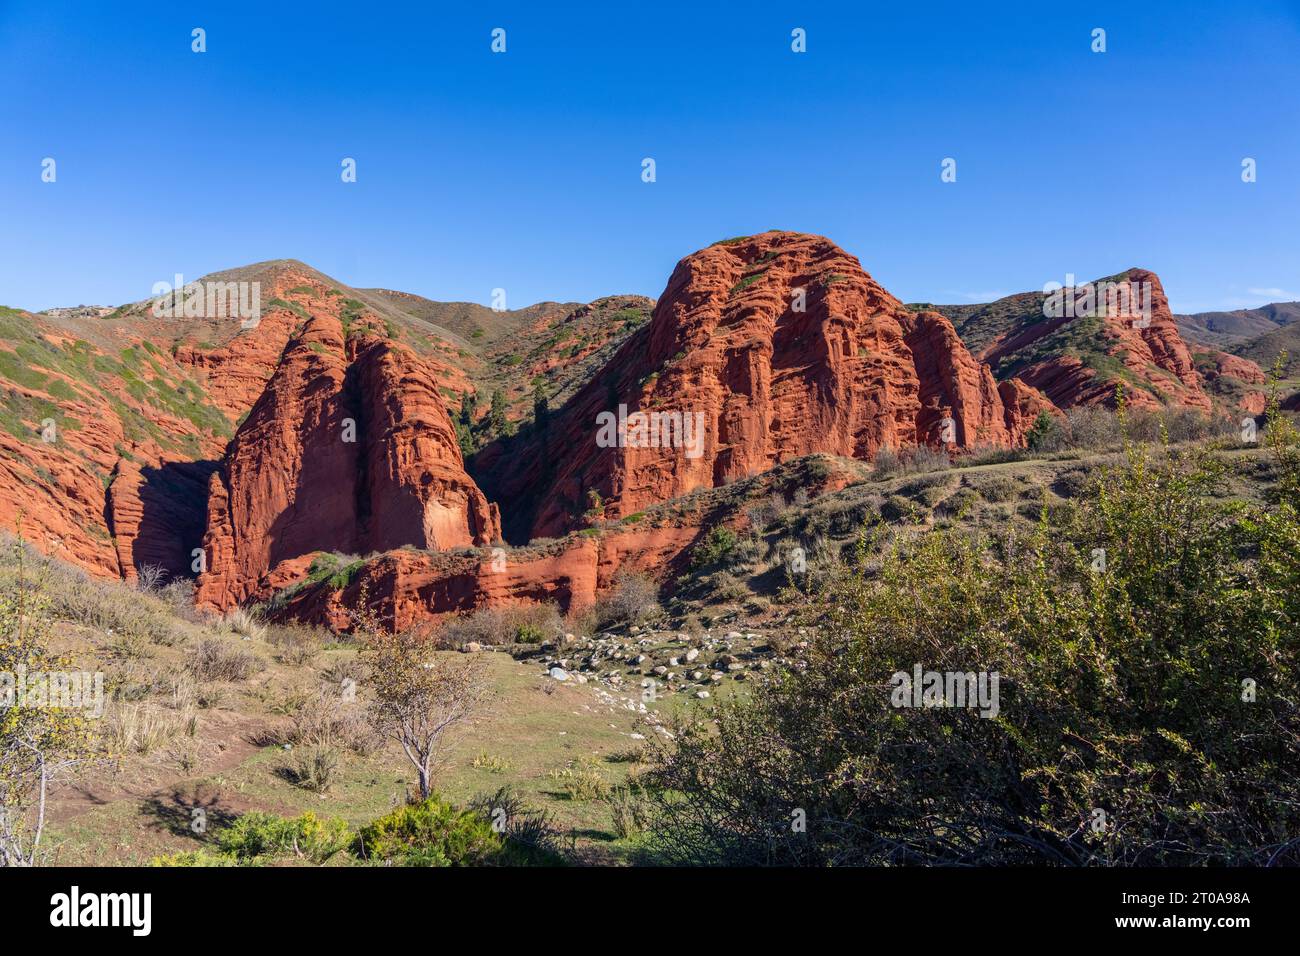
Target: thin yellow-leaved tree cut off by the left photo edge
(41, 742)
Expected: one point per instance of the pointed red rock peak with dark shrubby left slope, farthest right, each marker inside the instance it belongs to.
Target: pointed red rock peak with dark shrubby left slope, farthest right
(1138, 349)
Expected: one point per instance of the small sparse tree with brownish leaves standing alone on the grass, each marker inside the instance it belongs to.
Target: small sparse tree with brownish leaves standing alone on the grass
(422, 698)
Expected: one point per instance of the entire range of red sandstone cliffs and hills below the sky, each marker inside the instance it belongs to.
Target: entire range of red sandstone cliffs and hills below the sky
(358, 422)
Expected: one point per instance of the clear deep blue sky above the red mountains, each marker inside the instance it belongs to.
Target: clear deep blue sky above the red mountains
(523, 171)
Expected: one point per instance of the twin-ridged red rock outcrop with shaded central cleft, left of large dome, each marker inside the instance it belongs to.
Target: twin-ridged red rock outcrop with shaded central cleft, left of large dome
(349, 449)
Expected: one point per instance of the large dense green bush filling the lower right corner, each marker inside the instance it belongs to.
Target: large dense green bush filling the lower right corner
(1147, 712)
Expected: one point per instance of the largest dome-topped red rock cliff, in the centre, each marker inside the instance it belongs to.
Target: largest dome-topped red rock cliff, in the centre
(764, 349)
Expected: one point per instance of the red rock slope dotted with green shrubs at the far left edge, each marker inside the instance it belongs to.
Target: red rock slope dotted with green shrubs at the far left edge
(53, 482)
